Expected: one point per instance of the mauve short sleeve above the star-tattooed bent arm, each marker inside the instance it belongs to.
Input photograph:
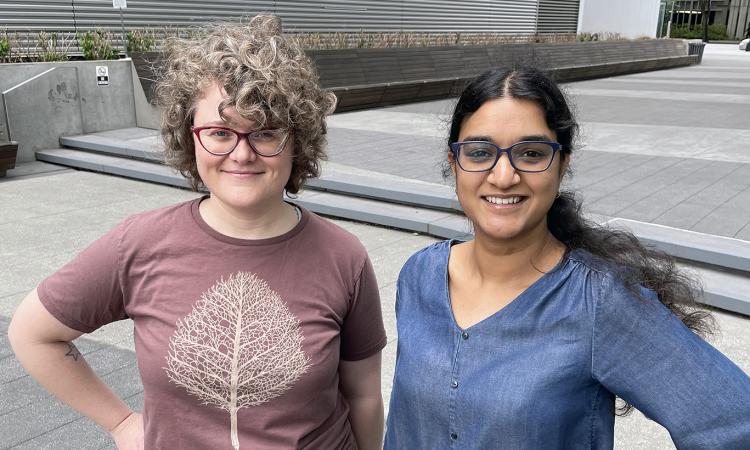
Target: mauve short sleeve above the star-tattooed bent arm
(87, 292)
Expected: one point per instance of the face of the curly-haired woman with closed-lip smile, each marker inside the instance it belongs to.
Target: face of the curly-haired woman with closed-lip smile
(241, 181)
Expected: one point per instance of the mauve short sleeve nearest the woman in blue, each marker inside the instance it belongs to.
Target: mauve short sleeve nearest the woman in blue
(363, 333)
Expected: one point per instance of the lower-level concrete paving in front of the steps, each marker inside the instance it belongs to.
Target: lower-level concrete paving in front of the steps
(48, 219)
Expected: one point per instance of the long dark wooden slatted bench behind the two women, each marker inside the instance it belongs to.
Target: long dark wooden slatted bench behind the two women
(372, 77)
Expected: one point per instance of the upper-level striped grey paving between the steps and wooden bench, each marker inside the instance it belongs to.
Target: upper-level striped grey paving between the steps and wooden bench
(667, 147)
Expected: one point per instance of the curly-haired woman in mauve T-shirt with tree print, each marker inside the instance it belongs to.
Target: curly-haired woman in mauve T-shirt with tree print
(257, 324)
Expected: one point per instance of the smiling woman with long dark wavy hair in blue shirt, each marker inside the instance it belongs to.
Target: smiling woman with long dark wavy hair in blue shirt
(522, 337)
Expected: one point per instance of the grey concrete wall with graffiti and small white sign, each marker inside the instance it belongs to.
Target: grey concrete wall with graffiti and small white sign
(64, 101)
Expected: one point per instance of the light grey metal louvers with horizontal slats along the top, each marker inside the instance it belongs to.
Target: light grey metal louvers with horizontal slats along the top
(501, 16)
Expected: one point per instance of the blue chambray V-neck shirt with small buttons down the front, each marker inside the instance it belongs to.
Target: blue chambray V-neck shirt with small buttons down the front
(542, 372)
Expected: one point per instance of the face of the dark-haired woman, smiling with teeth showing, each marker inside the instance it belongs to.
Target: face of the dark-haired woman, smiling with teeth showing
(503, 203)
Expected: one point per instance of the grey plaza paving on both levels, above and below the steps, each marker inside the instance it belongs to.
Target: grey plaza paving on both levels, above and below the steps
(667, 147)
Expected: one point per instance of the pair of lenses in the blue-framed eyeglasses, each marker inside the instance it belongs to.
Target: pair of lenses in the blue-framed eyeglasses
(524, 156)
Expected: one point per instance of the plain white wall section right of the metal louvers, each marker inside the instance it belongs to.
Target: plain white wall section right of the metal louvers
(632, 18)
